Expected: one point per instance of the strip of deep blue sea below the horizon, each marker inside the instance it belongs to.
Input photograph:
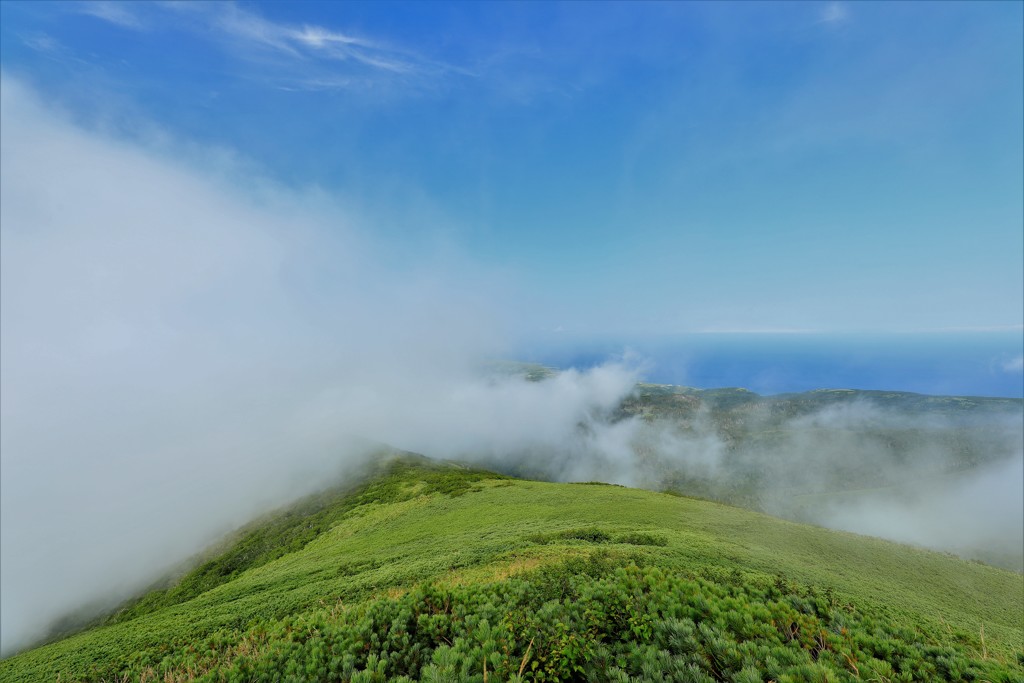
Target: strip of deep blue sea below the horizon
(970, 364)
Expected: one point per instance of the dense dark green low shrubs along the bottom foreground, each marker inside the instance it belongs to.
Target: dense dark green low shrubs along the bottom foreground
(595, 618)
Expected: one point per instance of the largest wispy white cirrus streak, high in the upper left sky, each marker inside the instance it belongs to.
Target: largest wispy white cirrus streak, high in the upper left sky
(307, 57)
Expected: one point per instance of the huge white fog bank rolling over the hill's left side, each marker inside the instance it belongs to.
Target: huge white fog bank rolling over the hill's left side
(185, 348)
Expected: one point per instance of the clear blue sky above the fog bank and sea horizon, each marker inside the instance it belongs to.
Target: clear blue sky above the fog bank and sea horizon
(630, 168)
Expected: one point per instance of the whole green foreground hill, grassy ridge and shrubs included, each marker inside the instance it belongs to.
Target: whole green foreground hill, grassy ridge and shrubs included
(440, 573)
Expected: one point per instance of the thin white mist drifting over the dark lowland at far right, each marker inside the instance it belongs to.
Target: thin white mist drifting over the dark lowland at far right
(934, 480)
